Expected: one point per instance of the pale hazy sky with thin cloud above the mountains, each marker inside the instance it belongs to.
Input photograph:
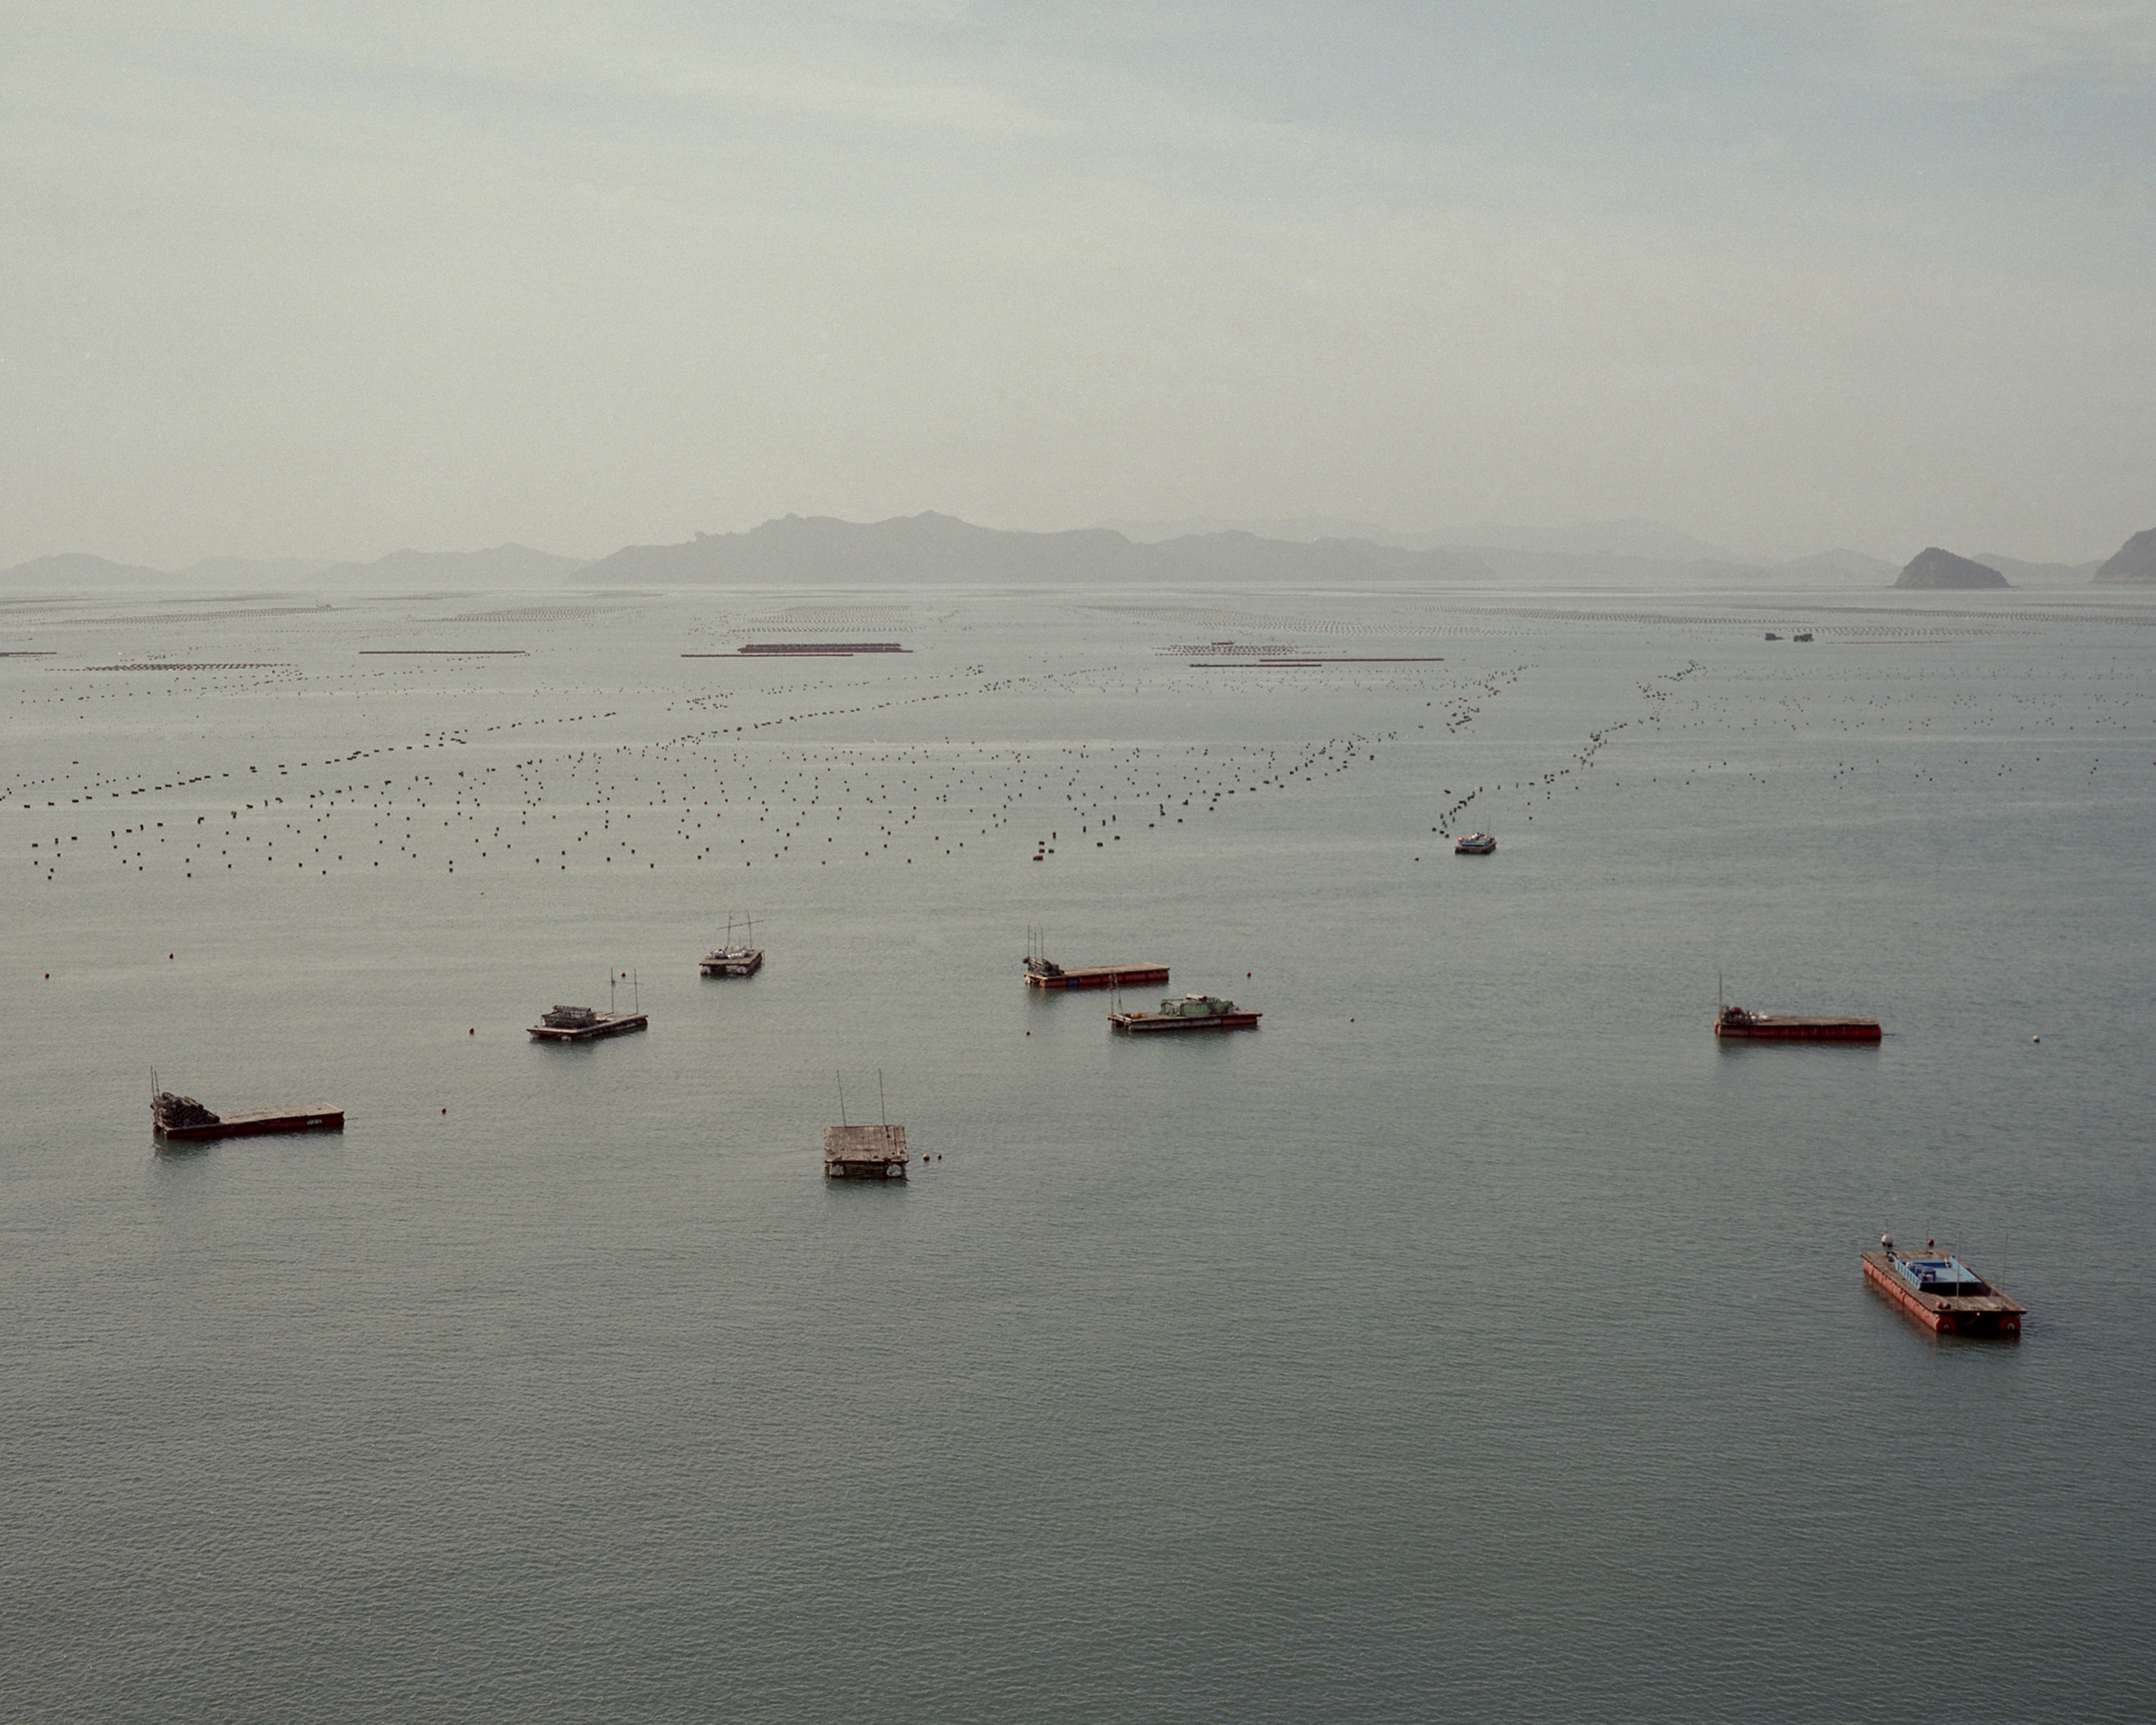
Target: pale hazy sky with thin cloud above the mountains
(335, 279)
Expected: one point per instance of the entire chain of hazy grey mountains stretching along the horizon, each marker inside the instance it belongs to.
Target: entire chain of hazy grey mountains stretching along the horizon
(820, 551)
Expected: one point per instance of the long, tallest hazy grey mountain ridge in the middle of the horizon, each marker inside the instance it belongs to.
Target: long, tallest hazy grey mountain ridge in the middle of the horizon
(807, 551)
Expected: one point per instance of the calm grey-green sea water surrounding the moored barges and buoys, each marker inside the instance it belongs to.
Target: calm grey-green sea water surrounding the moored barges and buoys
(1478, 1340)
